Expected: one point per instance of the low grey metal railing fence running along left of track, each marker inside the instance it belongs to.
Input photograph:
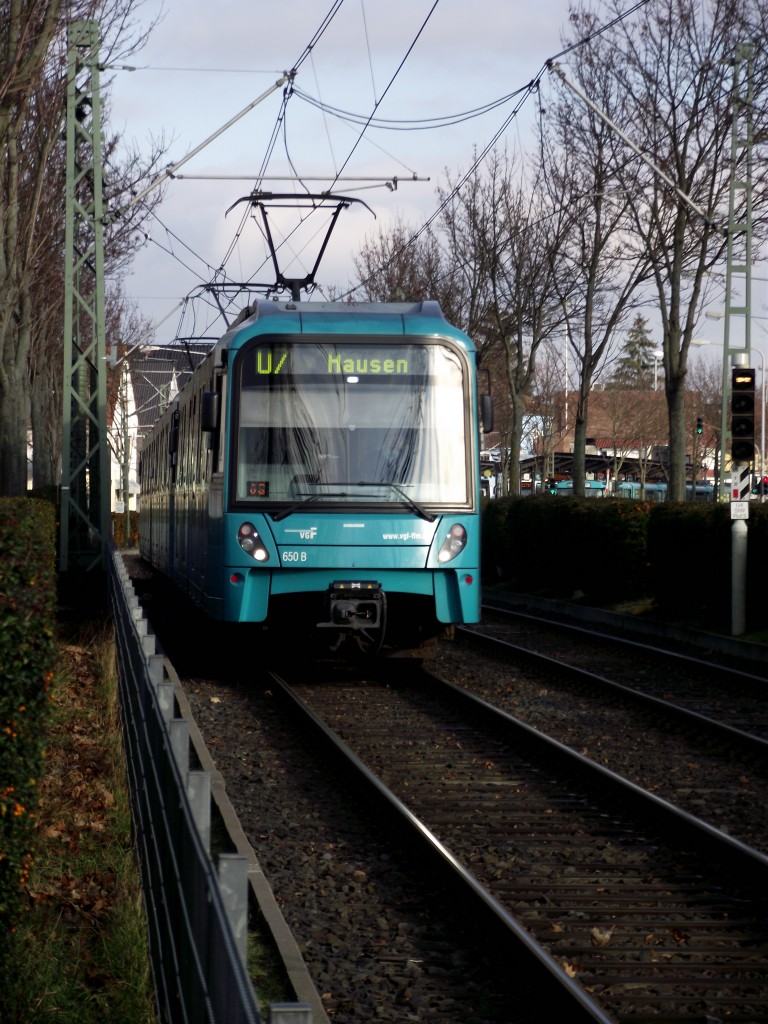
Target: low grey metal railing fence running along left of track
(197, 951)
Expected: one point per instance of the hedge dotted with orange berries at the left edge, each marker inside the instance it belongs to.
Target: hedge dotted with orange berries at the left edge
(28, 610)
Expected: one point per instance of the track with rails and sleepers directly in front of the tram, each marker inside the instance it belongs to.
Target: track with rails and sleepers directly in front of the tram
(637, 912)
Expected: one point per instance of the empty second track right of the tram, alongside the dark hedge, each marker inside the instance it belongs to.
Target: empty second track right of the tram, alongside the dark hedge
(650, 715)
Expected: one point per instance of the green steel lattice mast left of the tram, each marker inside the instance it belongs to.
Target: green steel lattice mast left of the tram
(86, 456)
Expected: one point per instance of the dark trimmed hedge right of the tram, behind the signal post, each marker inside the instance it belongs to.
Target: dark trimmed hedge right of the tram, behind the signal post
(610, 551)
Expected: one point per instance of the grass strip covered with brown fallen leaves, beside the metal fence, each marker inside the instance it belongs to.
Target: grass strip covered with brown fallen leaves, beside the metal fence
(81, 949)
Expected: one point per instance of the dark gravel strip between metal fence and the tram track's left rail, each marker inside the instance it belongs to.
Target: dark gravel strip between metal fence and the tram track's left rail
(374, 933)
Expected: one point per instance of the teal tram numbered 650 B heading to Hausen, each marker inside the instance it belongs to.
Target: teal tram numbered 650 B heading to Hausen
(320, 475)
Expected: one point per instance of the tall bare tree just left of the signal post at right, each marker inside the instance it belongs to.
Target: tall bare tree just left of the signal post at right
(673, 99)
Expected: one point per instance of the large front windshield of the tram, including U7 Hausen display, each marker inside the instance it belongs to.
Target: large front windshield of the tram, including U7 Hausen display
(345, 421)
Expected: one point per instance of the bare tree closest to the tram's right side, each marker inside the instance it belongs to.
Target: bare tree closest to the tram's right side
(492, 265)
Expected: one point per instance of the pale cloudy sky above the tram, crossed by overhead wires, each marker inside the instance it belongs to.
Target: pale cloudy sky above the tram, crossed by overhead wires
(404, 61)
